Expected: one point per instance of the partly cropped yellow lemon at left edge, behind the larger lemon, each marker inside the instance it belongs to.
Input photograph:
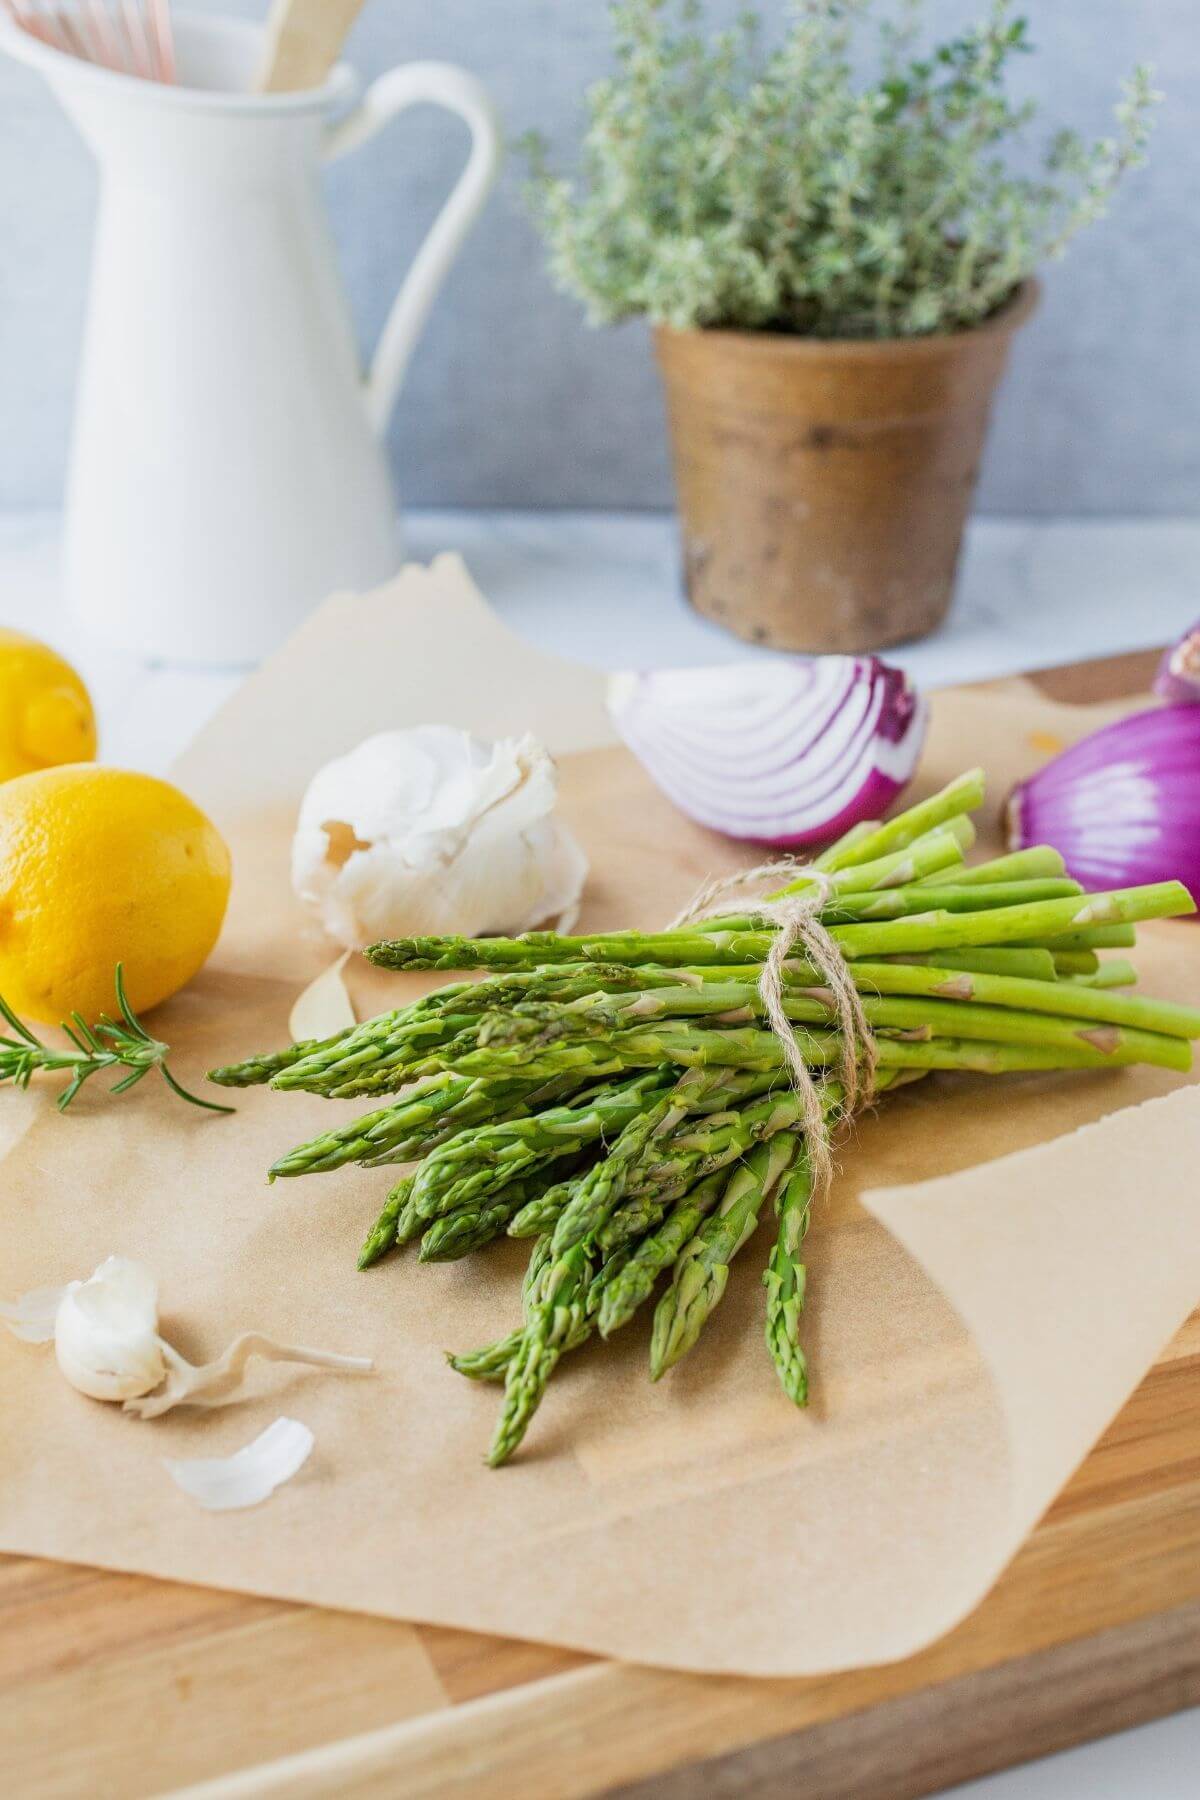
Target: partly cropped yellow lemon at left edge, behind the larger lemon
(46, 712)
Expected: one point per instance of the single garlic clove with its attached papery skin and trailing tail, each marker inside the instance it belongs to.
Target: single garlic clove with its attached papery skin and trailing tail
(109, 1347)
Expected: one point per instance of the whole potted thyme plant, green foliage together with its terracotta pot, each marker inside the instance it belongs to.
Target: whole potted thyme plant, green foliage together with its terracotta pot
(836, 265)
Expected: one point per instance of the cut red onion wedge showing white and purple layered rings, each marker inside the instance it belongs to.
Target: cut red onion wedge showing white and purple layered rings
(787, 751)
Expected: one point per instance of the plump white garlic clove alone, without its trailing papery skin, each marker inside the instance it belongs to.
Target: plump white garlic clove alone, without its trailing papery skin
(107, 1333)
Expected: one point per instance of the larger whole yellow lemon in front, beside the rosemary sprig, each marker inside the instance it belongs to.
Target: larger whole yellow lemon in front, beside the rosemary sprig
(100, 867)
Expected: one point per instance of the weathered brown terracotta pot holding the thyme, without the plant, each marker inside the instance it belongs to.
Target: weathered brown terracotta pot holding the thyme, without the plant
(823, 483)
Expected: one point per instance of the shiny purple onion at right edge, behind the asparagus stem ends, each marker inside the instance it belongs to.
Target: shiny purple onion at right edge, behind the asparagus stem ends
(1122, 807)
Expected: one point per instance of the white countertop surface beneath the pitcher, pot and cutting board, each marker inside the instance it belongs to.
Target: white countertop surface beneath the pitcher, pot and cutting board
(604, 588)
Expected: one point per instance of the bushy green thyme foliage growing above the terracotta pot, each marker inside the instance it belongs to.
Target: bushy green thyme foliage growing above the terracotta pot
(812, 186)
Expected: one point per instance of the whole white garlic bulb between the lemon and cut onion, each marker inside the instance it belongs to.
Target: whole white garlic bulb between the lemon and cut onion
(431, 831)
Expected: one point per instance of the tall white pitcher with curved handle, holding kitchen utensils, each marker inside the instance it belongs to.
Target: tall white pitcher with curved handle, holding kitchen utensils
(228, 465)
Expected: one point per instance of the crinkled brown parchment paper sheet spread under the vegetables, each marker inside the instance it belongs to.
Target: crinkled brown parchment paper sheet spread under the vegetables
(989, 1284)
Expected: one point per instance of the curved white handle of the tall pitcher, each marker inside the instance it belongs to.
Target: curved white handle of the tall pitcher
(413, 85)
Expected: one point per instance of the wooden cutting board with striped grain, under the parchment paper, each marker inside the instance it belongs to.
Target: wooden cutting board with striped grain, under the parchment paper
(116, 1686)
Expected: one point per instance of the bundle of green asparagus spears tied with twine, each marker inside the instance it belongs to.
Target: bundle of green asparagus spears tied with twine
(622, 1099)
